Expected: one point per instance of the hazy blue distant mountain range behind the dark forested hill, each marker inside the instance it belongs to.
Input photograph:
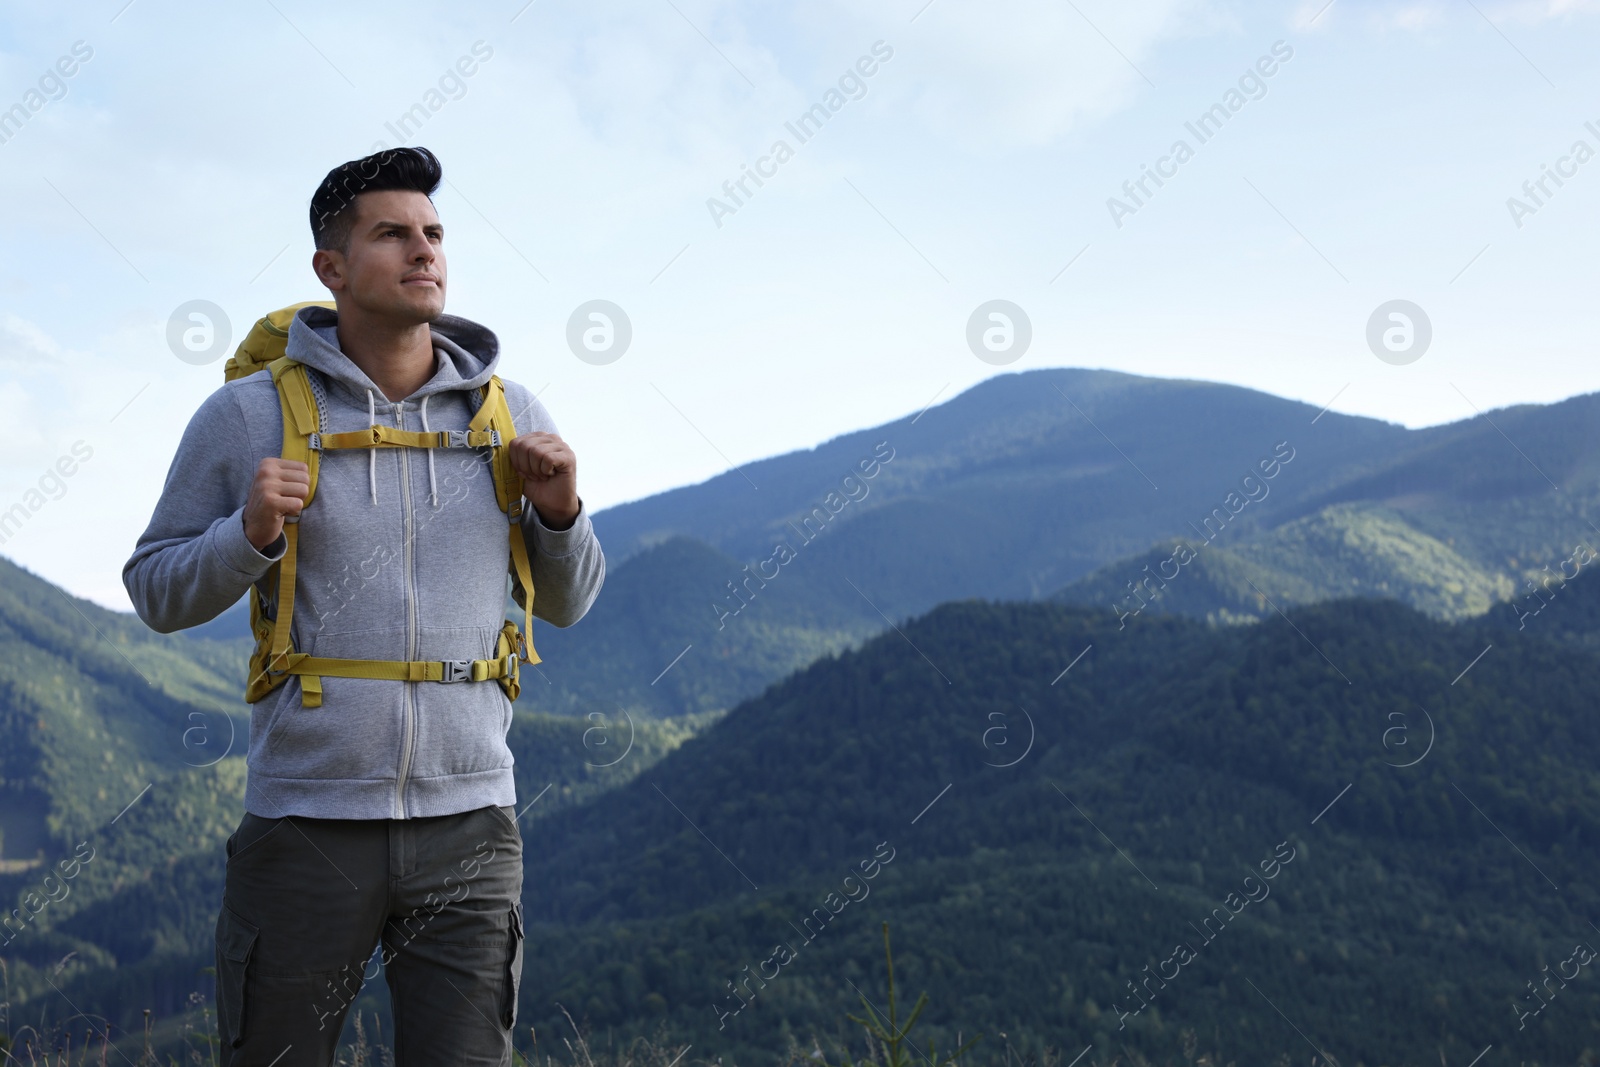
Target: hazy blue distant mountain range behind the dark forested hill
(1050, 484)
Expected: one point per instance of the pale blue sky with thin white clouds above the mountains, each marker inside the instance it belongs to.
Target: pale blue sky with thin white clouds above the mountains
(1356, 154)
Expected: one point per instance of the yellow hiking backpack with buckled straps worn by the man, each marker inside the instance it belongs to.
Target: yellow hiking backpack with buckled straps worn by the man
(274, 660)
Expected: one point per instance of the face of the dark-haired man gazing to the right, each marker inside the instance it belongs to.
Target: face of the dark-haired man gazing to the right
(396, 265)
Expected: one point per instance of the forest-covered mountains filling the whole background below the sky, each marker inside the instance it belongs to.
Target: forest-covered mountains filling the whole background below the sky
(1327, 794)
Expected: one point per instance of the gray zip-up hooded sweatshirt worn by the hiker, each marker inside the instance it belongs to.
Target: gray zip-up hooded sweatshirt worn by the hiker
(402, 556)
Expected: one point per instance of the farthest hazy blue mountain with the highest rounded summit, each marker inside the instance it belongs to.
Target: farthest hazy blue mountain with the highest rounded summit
(993, 479)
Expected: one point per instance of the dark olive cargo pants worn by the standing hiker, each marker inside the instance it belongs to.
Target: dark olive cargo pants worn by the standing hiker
(308, 900)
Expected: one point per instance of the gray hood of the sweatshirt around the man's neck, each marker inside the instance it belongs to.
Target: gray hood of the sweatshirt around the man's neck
(465, 356)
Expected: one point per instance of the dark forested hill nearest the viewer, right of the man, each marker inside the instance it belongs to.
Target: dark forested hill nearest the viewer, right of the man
(1063, 802)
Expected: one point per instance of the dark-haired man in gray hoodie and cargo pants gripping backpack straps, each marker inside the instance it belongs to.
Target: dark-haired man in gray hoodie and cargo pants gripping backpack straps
(386, 813)
